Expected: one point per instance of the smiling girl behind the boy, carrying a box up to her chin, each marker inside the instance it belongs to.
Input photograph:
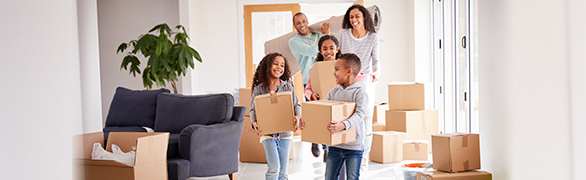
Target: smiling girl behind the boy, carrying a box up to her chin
(329, 50)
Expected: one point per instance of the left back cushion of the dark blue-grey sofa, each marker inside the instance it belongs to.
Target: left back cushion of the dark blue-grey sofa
(133, 107)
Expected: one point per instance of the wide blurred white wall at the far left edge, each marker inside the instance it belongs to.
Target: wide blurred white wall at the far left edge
(40, 91)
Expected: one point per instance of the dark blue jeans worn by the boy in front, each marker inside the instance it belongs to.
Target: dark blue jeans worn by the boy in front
(337, 157)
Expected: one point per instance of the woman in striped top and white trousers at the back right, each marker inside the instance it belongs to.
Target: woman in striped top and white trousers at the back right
(359, 36)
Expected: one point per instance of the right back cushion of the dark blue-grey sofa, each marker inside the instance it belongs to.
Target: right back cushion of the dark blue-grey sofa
(176, 111)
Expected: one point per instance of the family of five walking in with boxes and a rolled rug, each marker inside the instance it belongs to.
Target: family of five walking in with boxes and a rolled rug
(355, 52)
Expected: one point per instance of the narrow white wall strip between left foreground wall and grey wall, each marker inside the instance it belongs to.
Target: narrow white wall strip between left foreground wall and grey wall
(89, 57)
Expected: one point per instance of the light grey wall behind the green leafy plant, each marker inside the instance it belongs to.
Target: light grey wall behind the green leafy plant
(122, 21)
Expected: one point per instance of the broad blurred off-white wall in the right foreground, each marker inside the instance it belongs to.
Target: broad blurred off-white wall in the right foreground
(524, 93)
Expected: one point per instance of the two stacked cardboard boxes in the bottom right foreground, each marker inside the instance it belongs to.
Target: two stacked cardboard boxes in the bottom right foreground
(455, 156)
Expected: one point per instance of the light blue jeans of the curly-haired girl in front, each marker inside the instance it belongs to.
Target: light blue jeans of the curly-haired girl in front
(277, 151)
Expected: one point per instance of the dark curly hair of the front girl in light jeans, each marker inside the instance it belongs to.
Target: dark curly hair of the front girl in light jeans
(261, 76)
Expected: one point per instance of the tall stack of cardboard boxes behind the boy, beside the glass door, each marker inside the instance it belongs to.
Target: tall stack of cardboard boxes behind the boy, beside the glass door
(406, 114)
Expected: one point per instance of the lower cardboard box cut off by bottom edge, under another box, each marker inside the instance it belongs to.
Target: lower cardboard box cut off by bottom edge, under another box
(468, 175)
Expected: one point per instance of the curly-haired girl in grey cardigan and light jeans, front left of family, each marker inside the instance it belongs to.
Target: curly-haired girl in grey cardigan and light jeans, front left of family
(273, 75)
